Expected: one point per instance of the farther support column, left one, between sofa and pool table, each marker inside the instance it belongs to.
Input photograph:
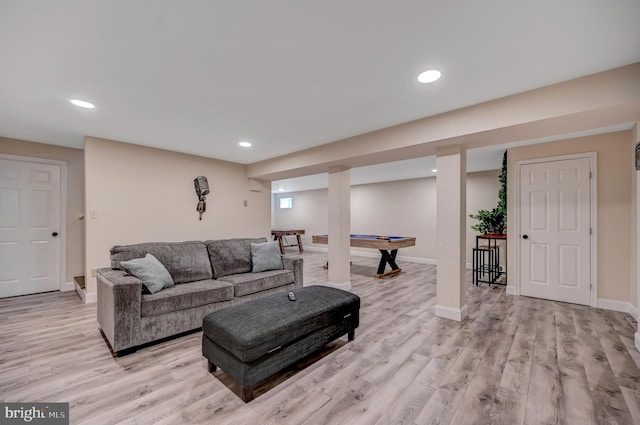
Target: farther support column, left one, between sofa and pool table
(339, 201)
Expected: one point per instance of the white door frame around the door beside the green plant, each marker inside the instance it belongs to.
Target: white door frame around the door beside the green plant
(593, 213)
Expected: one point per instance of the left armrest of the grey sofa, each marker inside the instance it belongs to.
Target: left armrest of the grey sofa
(119, 306)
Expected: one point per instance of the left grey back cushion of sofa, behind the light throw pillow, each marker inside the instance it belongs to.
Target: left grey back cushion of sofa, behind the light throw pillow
(185, 261)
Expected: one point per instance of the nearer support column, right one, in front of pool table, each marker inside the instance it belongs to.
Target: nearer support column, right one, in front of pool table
(451, 225)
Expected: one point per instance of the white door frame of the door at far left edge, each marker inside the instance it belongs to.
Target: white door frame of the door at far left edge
(64, 285)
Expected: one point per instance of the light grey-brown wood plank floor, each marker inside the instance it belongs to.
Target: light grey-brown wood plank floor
(514, 360)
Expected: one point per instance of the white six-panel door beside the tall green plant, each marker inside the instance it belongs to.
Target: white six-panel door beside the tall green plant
(555, 227)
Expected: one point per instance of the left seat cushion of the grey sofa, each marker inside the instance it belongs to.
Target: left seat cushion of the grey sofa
(187, 295)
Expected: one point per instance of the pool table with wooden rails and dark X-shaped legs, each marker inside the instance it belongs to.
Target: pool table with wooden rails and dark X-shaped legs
(387, 245)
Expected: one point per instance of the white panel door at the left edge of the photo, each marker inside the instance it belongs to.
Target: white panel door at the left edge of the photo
(29, 226)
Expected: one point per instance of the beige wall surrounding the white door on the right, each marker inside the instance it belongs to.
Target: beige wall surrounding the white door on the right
(614, 175)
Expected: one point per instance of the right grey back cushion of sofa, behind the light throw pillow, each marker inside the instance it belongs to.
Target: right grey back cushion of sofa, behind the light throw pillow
(231, 256)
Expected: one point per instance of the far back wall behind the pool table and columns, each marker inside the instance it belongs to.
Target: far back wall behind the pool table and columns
(403, 208)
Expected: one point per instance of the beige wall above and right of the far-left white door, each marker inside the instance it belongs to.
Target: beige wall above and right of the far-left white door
(75, 193)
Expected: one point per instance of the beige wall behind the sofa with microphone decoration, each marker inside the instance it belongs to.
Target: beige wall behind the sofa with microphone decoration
(143, 194)
